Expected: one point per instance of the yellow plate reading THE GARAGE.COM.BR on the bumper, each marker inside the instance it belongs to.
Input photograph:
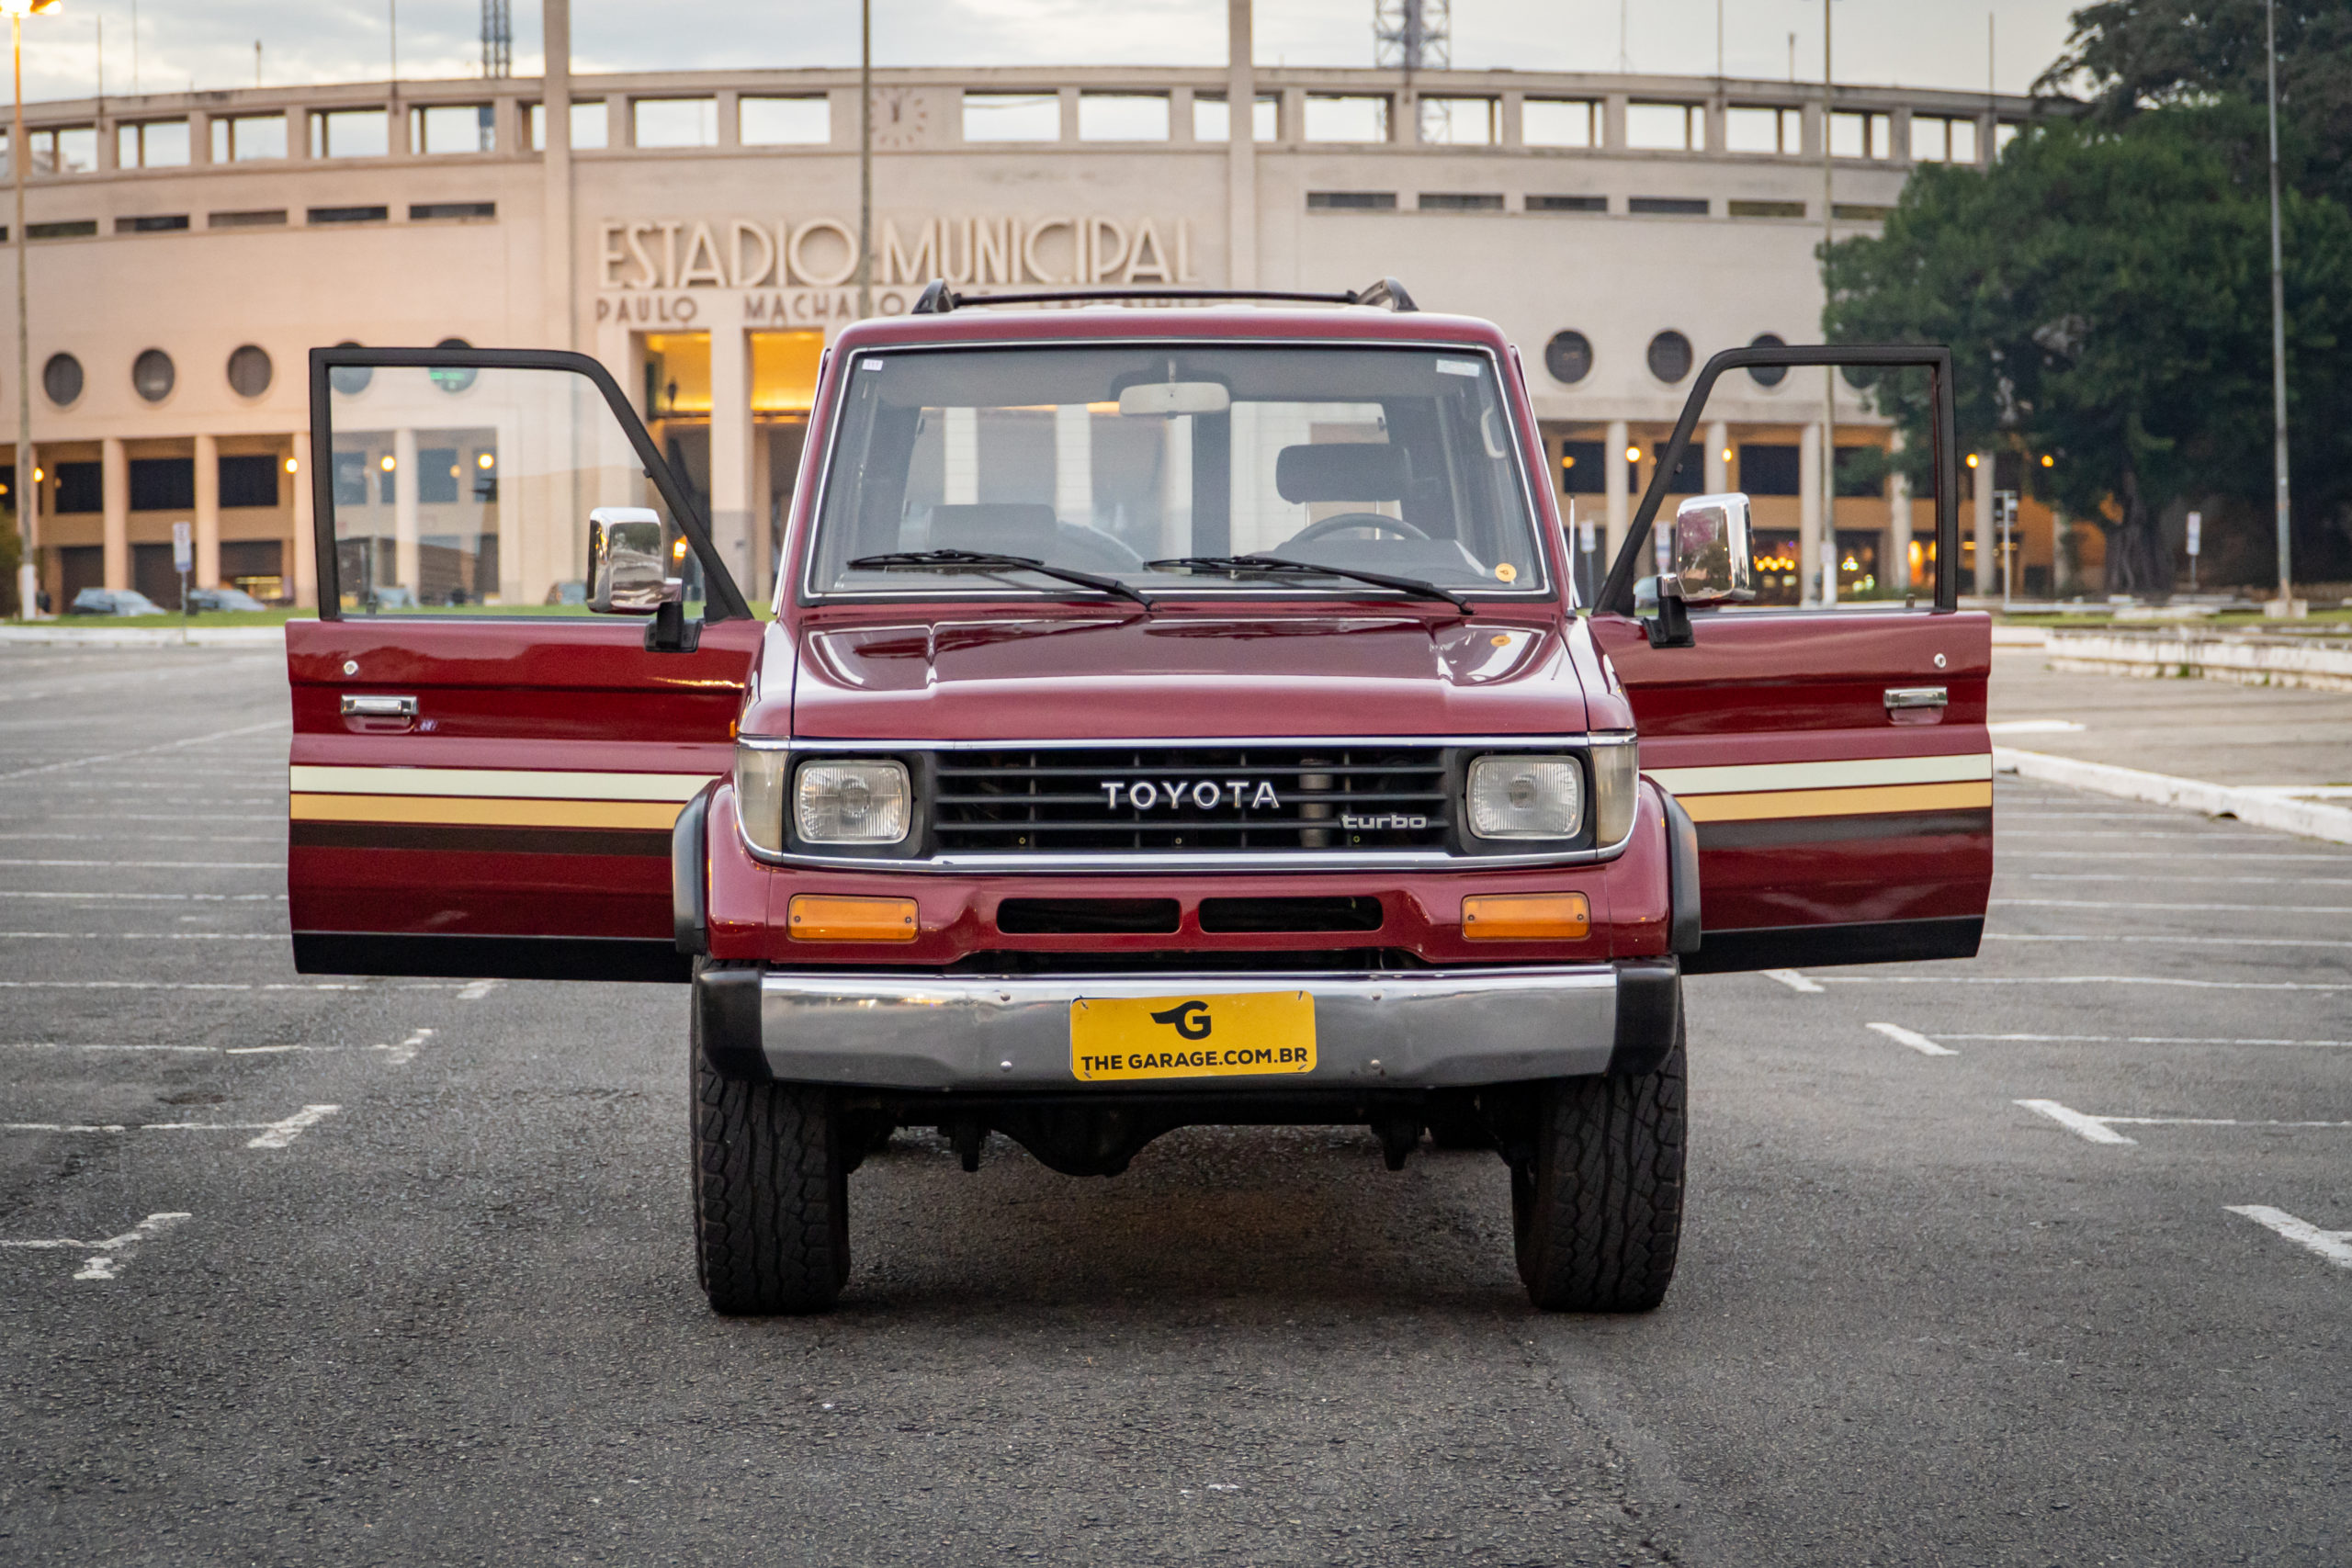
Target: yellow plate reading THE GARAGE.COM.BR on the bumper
(1191, 1038)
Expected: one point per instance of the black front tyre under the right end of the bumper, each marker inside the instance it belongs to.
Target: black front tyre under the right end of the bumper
(1598, 1209)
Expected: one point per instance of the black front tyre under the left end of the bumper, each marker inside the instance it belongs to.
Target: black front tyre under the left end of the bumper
(770, 1195)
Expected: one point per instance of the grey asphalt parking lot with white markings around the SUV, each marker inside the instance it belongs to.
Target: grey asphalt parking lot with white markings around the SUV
(2040, 1259)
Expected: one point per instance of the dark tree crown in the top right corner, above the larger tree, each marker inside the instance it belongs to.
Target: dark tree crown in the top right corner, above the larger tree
(2139, 55)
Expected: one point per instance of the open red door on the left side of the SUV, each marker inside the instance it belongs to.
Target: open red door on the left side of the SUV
(486, 775)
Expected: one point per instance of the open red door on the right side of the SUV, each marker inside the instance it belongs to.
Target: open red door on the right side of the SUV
(1836, 763)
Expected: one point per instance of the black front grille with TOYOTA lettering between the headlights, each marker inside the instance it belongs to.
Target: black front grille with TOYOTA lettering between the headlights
(1191, 800)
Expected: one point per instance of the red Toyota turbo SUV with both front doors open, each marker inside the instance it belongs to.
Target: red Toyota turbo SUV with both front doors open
(1170, 716)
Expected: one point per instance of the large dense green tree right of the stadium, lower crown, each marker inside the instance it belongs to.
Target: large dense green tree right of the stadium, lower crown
(2106, 295)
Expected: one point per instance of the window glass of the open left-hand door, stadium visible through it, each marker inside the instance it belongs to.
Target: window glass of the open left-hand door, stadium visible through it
(469, 492)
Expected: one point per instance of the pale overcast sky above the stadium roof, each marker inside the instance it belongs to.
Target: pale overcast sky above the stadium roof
(1913, 43)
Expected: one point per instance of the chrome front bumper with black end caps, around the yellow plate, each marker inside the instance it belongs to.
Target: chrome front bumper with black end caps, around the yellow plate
(1372, 1031)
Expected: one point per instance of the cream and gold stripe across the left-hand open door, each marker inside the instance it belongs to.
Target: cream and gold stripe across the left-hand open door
(490, 798)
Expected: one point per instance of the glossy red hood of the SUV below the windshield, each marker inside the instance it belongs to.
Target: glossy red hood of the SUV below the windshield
(1184, 676)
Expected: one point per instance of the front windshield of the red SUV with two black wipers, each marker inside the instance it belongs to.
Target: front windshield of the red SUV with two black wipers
(1118, 460)
